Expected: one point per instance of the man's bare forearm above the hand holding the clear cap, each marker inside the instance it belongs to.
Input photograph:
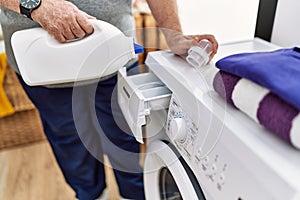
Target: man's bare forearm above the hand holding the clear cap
(165, 13)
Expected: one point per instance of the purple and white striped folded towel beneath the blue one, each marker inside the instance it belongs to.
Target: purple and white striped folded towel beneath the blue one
(263, 106)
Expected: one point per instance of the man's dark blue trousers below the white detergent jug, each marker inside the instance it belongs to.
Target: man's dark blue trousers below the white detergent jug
(83, 123)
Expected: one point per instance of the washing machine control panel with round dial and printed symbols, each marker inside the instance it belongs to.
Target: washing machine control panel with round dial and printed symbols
(186, 134)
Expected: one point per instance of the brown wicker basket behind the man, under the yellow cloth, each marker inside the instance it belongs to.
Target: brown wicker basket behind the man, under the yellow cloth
(24, 126)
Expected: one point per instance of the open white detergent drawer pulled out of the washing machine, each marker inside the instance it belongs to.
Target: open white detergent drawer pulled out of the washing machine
(138, 95)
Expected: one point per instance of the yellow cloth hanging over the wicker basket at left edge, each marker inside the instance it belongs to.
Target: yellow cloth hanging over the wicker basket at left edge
(5, 106)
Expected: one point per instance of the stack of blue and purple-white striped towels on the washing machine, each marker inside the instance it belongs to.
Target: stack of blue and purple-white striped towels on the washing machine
(265, 86)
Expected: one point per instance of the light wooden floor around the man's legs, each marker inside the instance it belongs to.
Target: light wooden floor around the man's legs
(31, 173)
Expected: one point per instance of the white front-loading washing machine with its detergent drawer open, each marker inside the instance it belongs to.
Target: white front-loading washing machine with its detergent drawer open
(197, 146)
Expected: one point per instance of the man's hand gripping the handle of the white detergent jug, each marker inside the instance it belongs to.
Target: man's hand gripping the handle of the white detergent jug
(63, 20)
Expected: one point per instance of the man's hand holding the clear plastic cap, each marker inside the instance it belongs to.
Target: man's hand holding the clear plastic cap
(180, 44)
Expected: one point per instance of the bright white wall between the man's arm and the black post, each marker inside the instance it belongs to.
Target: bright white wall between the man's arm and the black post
(228, 20)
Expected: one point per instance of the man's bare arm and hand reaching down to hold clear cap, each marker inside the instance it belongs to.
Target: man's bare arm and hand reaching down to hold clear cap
(165, 13)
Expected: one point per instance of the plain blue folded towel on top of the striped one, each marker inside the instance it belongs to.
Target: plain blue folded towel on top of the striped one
(278, 71)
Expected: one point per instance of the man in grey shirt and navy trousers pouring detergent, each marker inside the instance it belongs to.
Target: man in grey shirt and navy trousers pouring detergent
(80, 122)
